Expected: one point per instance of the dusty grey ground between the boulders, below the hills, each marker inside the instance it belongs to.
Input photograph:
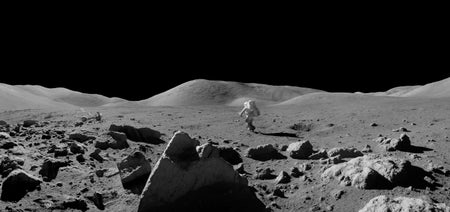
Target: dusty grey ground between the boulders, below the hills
(341, 121)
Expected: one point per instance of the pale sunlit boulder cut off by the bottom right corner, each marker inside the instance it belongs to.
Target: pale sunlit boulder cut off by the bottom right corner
(400, 204)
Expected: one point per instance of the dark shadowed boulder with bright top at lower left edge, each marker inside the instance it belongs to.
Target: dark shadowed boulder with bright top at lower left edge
(17, 185)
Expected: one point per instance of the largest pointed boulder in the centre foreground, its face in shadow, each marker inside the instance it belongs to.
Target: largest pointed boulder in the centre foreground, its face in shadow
(183, 180)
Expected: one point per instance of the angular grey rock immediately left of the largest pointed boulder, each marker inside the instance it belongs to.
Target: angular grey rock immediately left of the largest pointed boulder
(134, 171)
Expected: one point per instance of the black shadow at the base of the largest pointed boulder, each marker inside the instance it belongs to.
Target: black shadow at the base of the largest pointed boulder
(220, 197)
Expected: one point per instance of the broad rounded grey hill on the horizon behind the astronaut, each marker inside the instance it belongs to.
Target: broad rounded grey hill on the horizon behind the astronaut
(207, 92)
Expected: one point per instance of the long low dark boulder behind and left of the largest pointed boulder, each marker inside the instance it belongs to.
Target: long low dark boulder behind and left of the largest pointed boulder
(145, 135)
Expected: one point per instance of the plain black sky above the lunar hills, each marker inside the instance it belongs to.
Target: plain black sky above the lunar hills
(135, 57)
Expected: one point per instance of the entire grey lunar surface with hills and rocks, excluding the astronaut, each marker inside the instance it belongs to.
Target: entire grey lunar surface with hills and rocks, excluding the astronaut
(187, 149)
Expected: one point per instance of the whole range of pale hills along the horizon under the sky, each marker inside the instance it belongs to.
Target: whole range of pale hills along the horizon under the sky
(196, 92)
